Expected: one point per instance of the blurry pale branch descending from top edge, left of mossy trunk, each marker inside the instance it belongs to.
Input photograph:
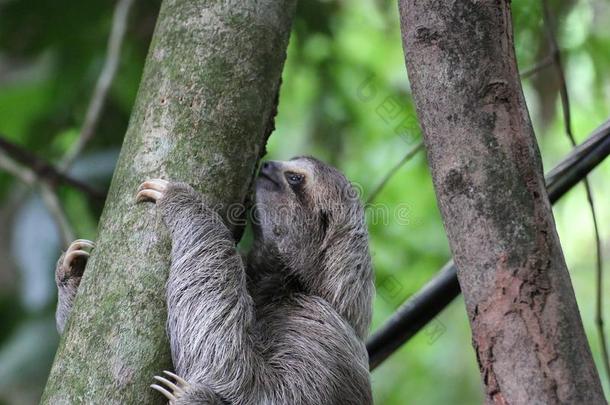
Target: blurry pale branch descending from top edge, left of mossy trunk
(105, 79)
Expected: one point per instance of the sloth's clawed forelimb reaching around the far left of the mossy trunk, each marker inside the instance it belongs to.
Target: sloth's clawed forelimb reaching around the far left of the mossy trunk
(68, 273)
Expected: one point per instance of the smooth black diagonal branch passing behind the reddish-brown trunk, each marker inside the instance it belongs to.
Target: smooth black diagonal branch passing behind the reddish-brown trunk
(422, 307)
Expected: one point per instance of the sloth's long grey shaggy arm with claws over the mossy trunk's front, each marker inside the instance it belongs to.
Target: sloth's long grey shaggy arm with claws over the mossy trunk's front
(210, 313)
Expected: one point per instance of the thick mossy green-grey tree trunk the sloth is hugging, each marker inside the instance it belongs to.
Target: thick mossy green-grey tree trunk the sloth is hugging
(203, 114)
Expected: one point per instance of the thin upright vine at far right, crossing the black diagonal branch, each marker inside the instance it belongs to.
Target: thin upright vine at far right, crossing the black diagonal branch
(567, 120)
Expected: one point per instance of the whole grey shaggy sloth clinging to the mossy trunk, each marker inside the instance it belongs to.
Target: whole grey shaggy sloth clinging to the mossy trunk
(286, 323)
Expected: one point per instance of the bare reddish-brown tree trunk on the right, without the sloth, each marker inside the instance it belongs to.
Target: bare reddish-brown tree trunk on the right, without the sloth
(486, 167)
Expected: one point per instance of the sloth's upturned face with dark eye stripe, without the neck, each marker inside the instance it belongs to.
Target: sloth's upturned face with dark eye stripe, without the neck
(300, 204)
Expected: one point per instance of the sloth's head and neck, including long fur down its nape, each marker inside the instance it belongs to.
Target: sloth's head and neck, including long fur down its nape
(309, 223)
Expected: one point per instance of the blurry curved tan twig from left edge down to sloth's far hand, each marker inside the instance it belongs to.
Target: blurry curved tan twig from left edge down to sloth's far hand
(29, 177)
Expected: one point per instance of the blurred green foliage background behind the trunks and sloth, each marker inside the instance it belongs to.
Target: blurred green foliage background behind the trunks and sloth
(345, 98)
